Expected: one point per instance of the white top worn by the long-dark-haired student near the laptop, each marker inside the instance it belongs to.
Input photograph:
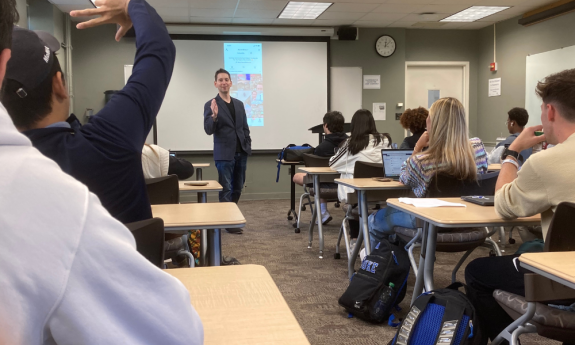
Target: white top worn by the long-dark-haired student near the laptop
(344, 162)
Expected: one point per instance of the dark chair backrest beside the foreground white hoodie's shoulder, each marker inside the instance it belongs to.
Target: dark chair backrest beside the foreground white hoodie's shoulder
(149, 235)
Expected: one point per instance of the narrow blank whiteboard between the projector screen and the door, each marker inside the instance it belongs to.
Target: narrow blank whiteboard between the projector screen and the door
(346, 88)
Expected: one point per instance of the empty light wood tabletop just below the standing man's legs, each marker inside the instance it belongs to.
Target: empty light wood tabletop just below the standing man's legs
(200, 216)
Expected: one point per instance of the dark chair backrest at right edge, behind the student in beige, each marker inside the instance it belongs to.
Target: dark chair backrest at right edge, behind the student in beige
(561, 233)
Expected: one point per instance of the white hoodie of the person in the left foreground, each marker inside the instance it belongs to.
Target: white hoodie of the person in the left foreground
(69, 272)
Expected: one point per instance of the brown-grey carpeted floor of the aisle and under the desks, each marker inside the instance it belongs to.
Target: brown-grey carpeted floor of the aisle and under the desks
(312, 286)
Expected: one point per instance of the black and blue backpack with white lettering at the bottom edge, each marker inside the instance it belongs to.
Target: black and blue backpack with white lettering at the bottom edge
(442, 316)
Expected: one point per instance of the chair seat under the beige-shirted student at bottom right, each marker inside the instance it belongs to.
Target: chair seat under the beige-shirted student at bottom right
(545, 315)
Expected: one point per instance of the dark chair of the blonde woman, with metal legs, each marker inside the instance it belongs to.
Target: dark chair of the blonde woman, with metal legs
(454, 240)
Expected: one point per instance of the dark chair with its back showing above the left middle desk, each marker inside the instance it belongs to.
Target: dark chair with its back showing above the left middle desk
(166, 190)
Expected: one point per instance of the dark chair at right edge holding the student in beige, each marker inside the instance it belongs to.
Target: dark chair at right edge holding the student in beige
(531, 313)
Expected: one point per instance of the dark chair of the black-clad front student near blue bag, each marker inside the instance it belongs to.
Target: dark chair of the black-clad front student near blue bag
(328, 193)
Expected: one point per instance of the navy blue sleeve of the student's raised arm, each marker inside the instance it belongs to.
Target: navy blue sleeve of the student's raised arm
(128, 117)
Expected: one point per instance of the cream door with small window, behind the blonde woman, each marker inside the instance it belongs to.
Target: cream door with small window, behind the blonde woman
(425, 82)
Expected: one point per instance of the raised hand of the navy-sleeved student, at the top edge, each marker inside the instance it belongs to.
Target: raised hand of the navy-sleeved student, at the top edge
(110, 12)
